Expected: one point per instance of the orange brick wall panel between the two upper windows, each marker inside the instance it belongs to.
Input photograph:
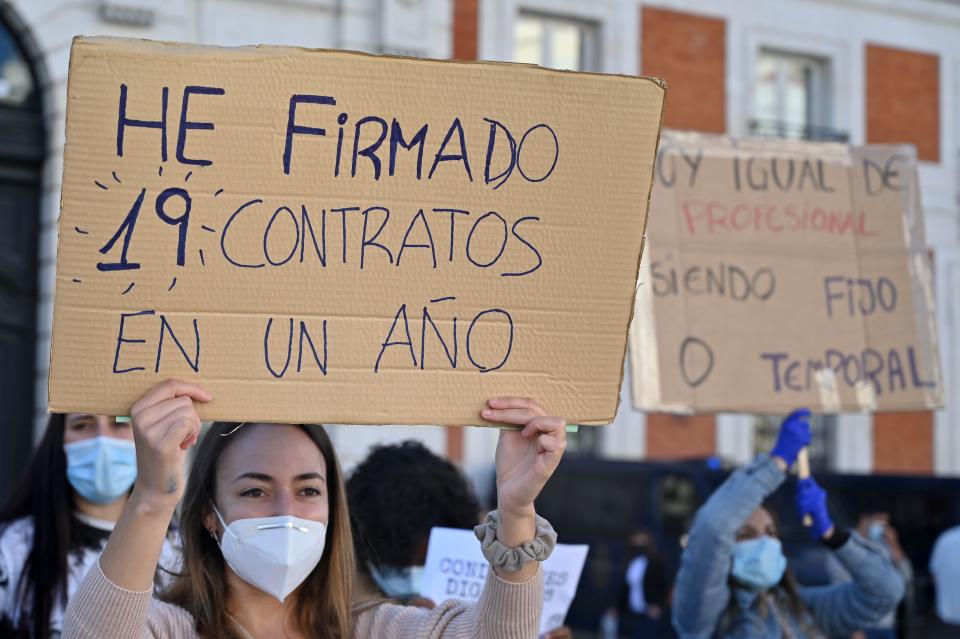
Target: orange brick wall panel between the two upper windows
(689, 52)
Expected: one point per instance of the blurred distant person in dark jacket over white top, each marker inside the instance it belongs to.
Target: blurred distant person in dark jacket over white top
(645, 591)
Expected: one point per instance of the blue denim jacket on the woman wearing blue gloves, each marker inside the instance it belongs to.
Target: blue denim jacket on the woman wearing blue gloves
(703, 590)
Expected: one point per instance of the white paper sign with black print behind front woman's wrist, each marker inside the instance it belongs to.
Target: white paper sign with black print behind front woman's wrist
(457, 569)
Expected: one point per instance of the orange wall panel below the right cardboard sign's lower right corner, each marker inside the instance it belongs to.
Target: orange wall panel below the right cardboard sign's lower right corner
(903, 442)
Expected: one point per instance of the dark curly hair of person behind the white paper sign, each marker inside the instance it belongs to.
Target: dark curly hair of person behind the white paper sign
(397, 495)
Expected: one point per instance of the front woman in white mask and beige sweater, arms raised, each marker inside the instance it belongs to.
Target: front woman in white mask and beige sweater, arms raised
(266, 535)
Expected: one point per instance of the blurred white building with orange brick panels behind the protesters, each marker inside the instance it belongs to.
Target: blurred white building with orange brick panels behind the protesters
(861, 71)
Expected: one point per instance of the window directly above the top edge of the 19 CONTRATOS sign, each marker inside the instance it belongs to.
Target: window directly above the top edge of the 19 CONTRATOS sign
(555, 42)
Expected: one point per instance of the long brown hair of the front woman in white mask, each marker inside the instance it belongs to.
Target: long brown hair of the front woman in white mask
(323, 601)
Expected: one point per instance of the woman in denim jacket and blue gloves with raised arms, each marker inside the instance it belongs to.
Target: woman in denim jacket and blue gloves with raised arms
(734, 582)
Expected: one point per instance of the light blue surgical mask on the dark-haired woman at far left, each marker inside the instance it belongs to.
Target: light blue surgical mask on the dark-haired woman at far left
(101, 469)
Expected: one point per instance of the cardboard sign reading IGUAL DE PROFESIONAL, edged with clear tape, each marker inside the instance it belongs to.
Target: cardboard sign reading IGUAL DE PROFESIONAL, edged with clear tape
(780, 274)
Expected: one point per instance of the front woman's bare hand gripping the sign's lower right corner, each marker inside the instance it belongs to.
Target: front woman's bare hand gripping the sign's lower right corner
(527, 458)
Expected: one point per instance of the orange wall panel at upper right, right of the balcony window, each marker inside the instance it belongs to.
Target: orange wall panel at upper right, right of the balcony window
(903, 99)
